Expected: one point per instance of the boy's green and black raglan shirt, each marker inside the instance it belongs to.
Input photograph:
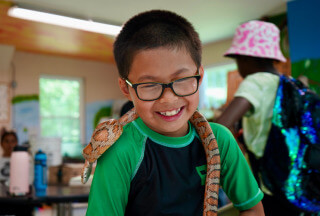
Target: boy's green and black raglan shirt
(145, 173)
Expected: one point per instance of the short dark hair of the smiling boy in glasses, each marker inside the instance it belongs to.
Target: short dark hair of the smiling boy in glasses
(153, 29)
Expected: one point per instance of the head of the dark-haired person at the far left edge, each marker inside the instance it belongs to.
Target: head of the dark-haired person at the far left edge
(9, 140)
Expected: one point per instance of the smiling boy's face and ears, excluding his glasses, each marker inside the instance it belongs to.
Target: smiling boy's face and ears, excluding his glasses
(169, 114)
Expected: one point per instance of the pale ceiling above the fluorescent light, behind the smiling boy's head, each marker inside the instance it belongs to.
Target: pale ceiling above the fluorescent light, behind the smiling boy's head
(213, 19)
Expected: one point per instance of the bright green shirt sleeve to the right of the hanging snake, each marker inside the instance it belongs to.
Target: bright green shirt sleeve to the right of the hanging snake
(236, 177)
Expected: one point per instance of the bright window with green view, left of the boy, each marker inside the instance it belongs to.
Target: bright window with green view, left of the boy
(61, 112)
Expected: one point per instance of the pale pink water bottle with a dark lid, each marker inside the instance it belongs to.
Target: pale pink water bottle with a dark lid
(19, 171)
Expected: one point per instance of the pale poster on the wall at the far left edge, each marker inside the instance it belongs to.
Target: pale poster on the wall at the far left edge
(4, 103)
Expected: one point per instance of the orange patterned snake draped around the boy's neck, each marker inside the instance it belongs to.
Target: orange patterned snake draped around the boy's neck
(108, 132)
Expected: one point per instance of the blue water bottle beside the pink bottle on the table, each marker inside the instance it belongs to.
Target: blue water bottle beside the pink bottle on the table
(40, 173)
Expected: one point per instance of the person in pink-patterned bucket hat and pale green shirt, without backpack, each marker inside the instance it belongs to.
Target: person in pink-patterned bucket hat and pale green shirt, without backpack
(255, 48)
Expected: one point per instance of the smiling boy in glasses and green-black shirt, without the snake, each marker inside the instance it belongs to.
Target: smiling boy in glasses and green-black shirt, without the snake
(157, 165)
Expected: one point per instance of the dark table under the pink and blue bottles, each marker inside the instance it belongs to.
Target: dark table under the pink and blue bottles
(63, 196)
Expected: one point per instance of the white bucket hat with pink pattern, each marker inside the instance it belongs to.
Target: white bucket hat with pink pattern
(257, 39)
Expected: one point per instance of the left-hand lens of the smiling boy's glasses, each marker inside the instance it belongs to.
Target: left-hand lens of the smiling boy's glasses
(149, 91)
